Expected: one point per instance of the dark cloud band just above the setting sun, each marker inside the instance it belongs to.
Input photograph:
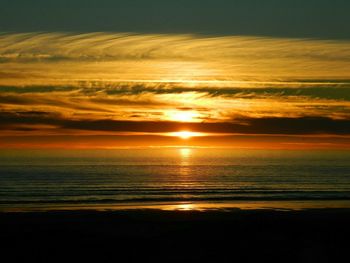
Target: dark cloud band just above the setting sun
(287, 126)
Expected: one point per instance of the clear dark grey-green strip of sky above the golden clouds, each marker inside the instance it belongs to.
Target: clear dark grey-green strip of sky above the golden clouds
(282, 18)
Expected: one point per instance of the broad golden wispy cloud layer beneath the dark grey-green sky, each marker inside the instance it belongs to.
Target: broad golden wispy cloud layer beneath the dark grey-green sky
(133, 57)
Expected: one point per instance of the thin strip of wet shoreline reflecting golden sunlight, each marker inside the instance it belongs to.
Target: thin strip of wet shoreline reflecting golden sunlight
(281, 205)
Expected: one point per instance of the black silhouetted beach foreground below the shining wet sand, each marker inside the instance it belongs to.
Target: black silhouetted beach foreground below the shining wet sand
(314, 235)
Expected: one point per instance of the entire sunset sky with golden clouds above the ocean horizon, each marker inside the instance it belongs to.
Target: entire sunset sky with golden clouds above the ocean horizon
(106, 73)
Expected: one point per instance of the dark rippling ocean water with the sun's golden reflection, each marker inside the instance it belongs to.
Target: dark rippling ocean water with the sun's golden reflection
(83, 178)
